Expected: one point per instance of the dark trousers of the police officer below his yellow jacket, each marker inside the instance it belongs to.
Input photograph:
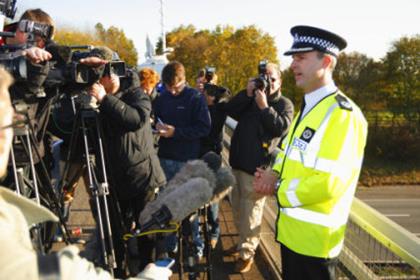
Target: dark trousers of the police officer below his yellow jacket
(300, 267)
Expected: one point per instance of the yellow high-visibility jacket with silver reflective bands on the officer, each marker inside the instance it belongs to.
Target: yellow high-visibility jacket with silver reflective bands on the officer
(319, 167)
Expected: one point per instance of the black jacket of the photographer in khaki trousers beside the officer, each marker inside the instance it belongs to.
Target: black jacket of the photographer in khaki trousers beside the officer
(257, 128)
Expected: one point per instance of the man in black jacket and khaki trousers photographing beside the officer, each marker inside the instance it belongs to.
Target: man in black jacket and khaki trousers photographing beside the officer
(263, 119)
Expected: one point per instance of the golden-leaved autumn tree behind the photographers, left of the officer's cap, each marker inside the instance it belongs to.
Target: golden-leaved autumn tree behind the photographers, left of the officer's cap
(234, 53)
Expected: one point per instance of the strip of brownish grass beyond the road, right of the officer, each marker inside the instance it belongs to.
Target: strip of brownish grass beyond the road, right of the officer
(380, 172)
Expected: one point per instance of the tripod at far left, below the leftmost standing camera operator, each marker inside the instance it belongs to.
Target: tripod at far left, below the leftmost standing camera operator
(37, 181)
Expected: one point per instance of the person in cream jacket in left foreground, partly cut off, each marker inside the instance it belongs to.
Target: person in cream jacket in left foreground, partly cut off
(18, 259)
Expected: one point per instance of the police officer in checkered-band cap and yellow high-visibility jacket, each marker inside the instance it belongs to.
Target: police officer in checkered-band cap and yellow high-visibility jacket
(315, 175)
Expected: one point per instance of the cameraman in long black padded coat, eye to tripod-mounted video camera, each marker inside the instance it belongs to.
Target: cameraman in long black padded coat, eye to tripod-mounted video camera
(133, 161)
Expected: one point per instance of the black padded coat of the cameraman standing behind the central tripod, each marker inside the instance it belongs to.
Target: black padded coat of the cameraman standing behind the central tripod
(132, 158)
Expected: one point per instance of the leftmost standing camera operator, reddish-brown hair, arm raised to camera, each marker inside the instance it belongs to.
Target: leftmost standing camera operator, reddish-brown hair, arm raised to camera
(28, 95)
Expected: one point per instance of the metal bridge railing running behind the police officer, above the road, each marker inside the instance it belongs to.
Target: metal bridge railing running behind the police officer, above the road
(375, 247)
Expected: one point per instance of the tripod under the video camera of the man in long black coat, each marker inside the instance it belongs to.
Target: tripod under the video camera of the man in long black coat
(87, 125)
